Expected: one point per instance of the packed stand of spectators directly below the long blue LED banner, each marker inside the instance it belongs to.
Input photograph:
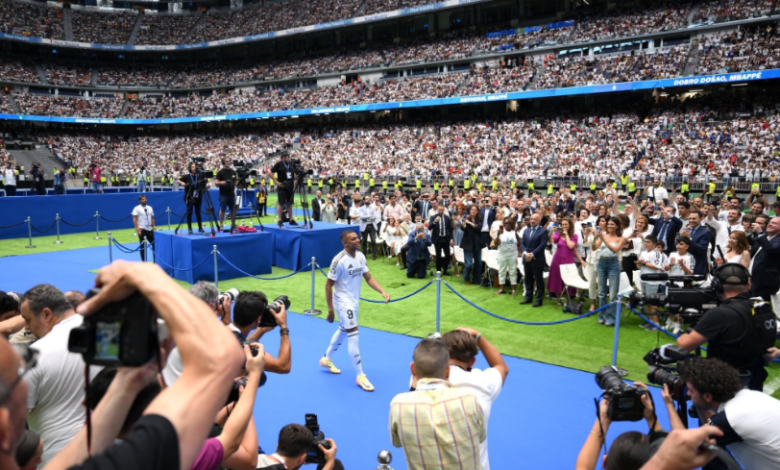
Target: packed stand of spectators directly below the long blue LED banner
(730, 132)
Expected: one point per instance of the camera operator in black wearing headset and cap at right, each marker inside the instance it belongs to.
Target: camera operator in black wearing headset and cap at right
(740, 330)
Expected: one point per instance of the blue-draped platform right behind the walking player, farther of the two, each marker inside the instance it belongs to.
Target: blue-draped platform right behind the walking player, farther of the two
(295, 246)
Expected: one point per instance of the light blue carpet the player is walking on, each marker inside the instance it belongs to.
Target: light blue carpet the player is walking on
(540, 421)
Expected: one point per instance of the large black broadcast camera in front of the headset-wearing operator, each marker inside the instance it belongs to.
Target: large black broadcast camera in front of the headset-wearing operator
(689, 302)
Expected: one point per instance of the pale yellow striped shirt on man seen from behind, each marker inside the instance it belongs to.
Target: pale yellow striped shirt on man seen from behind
(439, 426)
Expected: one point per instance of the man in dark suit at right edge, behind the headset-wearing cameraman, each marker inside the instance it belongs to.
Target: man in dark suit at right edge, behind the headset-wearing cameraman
(765, 260)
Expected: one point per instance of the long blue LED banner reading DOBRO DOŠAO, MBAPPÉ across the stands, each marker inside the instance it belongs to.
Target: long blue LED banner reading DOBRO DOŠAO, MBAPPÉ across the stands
(703, 80)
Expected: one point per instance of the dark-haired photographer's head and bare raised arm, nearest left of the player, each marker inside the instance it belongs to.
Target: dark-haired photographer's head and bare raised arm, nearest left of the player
(248, 312)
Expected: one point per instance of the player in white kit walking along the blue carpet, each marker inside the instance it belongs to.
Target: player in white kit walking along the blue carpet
(347, 271)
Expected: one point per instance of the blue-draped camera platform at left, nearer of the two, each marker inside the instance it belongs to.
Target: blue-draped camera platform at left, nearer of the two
(189, 257)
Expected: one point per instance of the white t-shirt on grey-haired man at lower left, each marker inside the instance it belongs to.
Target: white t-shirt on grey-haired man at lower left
(56, 389)
